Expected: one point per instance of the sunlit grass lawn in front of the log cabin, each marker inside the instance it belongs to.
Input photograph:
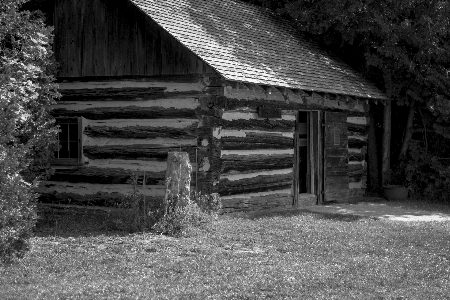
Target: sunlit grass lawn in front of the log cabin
(290, 255)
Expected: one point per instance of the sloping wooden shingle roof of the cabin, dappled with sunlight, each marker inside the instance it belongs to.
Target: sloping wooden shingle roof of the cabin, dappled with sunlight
(246, 43)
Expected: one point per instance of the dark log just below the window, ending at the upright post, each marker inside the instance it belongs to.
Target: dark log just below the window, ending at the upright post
(106, 176)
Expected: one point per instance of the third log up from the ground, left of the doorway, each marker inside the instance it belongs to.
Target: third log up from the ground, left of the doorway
(250, 163)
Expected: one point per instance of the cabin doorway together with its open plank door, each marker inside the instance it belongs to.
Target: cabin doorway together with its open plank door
(320, 157)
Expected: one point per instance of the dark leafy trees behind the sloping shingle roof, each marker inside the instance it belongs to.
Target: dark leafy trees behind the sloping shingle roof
(403, 46)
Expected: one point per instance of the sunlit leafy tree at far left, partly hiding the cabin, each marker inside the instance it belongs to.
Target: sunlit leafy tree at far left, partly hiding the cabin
(27, 132)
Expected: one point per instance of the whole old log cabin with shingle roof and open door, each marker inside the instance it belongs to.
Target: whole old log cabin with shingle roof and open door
(269, 119)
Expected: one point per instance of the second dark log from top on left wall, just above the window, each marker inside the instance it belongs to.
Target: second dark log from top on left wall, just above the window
(126, 112)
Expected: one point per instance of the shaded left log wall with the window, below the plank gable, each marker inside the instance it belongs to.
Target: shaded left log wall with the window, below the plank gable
(128, 126)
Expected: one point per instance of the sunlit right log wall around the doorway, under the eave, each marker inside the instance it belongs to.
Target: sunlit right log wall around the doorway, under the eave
(257, 154)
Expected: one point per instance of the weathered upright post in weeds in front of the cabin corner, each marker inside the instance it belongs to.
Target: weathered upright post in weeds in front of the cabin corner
(178, 181)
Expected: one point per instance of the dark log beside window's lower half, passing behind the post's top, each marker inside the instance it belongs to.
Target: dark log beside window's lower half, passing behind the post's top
(135, 152)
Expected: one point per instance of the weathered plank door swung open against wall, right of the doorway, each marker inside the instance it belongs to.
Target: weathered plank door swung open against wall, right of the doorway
(335, 165)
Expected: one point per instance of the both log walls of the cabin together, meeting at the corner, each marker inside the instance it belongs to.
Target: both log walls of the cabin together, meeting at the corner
(130, 125)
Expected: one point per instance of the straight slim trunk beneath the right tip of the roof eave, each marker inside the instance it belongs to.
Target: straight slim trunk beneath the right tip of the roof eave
(386, 158)
